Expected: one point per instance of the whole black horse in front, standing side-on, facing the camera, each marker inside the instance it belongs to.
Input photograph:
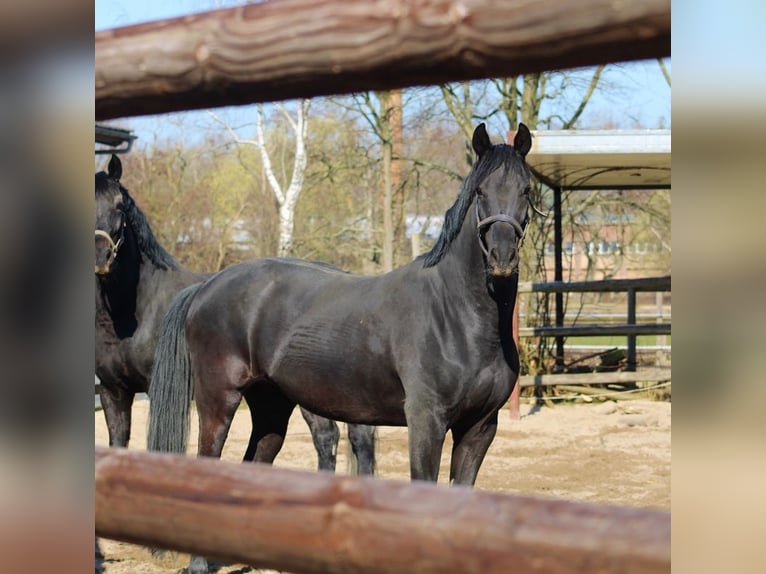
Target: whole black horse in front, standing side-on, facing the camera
(428, 345)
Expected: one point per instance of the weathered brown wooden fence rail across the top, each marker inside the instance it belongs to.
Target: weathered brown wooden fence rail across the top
(303, 48)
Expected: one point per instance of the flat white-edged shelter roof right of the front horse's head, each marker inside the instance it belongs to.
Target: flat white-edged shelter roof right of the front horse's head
(601, 159)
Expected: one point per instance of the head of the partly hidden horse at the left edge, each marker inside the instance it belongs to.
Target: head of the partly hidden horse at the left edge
(110, 216)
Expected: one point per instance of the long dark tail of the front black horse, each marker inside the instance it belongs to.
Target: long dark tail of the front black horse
(170, 389)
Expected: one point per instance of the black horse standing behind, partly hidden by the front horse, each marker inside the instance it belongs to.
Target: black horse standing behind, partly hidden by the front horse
(136, 281)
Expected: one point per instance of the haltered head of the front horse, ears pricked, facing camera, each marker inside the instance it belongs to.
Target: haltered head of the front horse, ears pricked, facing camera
(502, 199)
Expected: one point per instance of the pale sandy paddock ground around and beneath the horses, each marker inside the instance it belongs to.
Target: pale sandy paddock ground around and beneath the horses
(608, 452)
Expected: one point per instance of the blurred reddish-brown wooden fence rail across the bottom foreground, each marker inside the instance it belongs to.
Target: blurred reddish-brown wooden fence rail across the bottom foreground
(319, 522)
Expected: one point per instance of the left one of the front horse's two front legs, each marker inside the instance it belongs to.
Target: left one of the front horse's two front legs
(426, 431)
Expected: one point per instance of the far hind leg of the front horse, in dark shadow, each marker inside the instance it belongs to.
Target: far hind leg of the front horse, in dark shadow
(270, 414)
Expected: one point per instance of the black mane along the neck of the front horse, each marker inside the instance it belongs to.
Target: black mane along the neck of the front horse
(496, 156)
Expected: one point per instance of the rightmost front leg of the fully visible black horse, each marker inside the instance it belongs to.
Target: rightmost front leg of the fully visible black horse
(470, 445)
